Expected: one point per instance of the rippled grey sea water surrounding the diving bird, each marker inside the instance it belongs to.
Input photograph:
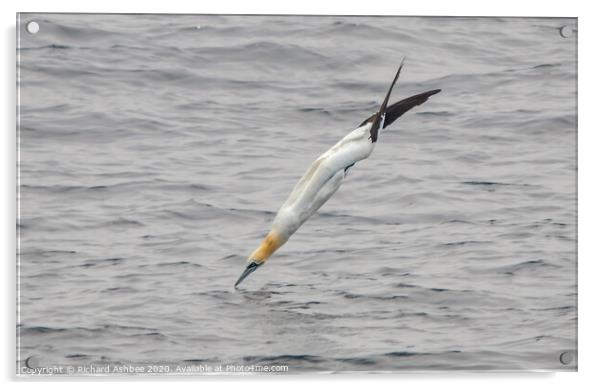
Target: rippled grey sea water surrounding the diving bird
(154, 151)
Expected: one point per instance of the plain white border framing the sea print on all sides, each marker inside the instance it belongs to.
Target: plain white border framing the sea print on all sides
(589, 187)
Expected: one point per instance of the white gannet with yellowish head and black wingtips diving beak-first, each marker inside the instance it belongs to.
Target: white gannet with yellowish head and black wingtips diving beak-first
(325, 175)
